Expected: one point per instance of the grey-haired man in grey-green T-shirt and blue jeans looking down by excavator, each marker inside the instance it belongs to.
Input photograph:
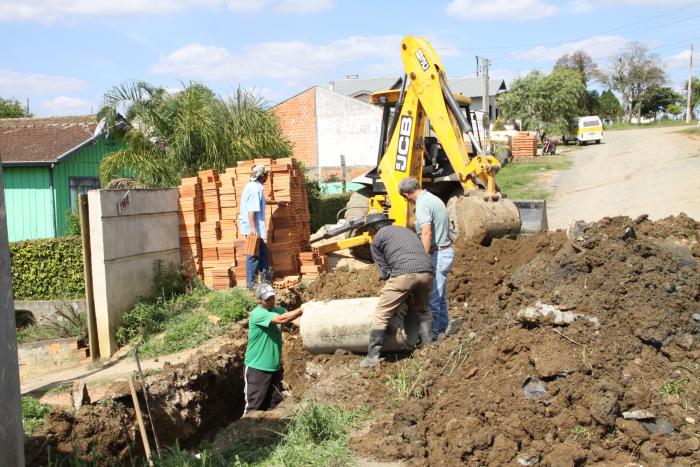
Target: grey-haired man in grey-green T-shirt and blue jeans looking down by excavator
(433, 226)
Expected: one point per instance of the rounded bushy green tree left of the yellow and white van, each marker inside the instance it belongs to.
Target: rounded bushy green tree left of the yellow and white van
(543, 103)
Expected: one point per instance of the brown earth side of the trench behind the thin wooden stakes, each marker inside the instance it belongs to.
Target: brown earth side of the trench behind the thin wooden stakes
(189, 401)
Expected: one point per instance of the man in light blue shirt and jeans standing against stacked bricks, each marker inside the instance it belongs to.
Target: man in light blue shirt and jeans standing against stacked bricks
(252, 223)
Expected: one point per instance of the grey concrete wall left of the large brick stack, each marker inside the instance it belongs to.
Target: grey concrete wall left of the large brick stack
(129, 231)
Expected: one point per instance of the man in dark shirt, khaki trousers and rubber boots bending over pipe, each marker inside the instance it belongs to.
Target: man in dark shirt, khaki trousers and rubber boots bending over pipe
(407, 269)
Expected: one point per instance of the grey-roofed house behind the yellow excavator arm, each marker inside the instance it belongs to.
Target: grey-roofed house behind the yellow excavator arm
(362, 89)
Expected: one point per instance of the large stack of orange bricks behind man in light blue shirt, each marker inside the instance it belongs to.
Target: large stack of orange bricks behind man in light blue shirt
(211, 244)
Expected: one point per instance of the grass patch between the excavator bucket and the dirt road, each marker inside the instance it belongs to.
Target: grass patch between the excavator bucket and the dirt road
(521, 179)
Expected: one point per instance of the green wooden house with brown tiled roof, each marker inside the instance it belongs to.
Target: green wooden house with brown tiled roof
(46, 163)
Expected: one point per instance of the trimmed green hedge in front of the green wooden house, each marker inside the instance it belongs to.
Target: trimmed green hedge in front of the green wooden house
(47, 269)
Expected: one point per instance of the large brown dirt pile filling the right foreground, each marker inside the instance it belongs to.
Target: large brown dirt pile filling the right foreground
(586, 349)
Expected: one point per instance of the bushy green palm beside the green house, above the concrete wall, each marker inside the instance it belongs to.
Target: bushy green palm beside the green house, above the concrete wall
(172, 135)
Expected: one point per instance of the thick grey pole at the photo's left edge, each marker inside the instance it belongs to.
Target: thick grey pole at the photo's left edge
(11, 433)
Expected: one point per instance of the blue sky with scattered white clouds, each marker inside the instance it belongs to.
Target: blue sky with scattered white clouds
(63, 55)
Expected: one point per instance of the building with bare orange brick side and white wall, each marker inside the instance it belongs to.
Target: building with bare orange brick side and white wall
(324, 125)
